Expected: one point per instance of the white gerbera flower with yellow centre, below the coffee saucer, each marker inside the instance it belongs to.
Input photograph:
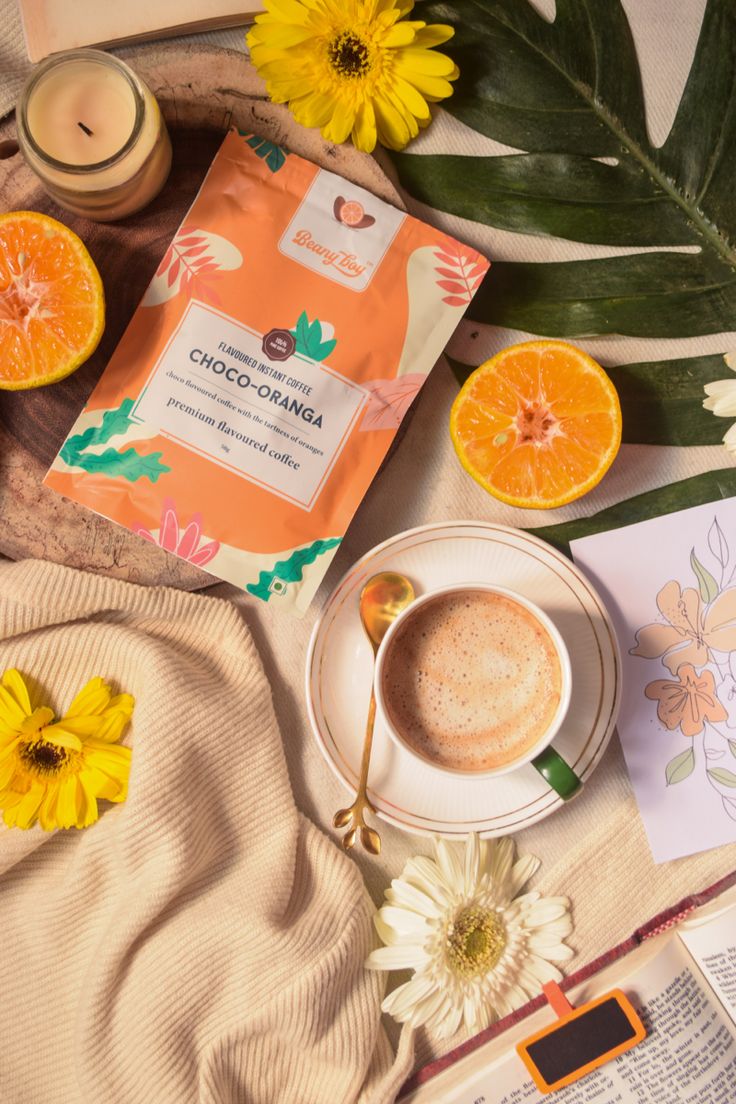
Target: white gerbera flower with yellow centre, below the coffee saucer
(477, 950)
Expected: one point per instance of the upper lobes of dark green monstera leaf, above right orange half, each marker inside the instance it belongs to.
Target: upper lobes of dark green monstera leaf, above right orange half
(568, 93)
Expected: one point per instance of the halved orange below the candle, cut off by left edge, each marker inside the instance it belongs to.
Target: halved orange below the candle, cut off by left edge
(52, 304)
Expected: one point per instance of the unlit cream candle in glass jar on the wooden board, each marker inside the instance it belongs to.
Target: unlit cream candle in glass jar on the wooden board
(93, 133)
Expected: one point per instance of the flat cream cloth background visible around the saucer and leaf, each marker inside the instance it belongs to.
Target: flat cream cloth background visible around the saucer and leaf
(595, 850)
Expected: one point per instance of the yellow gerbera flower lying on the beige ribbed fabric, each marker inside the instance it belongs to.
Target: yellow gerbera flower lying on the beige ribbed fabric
(55, 772)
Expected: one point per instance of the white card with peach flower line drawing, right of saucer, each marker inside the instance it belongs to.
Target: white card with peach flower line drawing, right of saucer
(670, 586)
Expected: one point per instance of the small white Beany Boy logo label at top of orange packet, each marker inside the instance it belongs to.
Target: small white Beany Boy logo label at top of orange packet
(342, 231)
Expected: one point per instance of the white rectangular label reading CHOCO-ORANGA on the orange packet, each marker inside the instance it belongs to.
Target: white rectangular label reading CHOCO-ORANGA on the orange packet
(251, 404)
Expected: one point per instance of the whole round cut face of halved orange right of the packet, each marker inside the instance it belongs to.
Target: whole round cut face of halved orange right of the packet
(538, 426)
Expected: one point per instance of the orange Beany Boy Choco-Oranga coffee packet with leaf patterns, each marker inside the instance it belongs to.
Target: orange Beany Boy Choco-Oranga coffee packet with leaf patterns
(251, 401)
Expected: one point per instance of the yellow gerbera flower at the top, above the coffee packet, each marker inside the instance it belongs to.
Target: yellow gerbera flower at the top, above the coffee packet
(353, 68)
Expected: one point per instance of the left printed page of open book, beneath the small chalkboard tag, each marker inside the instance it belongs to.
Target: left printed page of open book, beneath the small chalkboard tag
(689, 1055)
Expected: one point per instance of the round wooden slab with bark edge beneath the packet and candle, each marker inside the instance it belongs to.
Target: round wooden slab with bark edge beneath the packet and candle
(201, 91)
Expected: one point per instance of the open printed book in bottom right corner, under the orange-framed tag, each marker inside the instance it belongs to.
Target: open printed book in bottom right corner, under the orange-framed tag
(684, 984)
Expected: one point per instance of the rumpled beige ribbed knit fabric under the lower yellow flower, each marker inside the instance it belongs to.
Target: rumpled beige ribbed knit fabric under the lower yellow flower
(204, 942)
